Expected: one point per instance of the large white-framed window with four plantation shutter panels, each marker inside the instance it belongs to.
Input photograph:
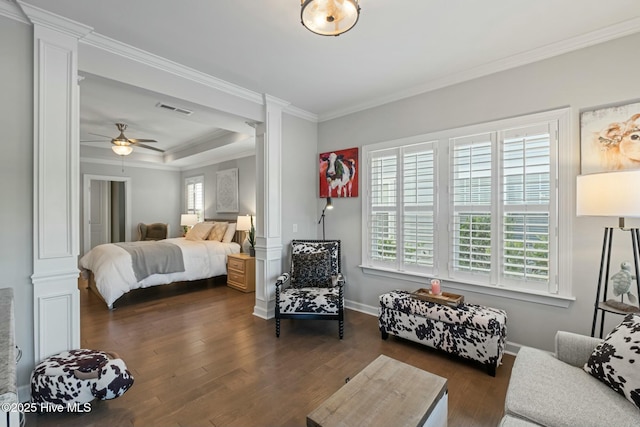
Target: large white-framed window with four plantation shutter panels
(475, 205)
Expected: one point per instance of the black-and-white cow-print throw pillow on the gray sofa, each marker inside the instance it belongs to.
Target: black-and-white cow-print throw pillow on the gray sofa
(616, 361)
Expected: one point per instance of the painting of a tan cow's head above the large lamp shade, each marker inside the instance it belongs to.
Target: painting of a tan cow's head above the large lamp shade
(610, 138)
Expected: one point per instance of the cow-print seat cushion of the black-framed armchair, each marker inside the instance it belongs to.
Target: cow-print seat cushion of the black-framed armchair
(309, 300)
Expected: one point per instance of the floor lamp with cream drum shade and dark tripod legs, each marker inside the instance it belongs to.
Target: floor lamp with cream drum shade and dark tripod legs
(611, 194)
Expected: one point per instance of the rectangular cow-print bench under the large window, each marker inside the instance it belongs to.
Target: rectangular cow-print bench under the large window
(470, 331)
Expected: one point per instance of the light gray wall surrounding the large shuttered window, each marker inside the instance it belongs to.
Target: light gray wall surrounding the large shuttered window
(594, 76)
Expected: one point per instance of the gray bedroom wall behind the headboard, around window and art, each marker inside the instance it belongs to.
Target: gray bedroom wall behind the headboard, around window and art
(246, 187)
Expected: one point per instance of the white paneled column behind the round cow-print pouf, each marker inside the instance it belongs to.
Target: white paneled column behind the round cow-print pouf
(56, 225)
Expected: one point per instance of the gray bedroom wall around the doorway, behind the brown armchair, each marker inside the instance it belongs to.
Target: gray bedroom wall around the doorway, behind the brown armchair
(155, 194)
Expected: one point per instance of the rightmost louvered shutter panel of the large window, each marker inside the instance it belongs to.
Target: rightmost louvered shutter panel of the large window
(526, 195)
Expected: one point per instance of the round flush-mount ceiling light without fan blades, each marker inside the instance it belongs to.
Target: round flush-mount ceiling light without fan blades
(329, 17)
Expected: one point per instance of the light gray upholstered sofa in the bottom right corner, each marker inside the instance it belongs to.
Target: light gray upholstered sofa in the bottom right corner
(553, 390)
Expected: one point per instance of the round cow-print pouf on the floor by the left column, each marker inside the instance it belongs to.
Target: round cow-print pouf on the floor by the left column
(79, 376)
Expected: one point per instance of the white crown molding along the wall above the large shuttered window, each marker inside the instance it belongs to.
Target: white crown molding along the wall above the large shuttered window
(602, 35)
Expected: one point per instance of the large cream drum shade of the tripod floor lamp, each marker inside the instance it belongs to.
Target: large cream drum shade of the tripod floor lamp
(612, 194)
